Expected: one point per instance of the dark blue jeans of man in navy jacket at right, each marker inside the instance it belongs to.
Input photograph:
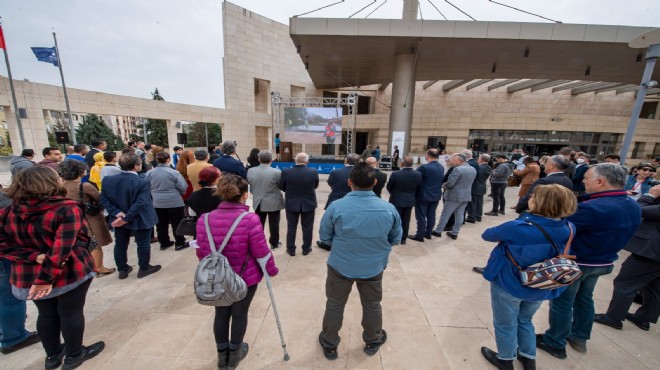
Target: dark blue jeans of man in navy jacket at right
(572, 313)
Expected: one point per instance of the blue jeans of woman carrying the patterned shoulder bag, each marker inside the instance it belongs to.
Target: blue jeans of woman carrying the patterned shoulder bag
(512, 318)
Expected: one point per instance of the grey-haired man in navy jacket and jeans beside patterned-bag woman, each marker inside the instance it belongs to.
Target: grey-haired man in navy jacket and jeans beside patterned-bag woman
(605, 220)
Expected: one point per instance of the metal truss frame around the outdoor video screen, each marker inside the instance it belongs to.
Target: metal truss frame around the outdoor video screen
(279, 101)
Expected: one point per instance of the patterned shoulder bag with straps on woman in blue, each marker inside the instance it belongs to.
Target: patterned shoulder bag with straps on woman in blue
(552, 273)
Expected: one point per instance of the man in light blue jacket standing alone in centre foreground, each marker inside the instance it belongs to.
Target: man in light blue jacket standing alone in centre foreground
(362, 229)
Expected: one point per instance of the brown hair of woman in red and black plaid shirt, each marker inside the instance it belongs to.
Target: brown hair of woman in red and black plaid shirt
(40, 182)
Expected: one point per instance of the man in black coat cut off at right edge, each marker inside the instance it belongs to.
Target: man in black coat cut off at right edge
(639, 272)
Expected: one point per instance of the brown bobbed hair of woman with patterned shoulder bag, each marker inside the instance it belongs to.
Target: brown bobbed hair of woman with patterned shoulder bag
(553, 201)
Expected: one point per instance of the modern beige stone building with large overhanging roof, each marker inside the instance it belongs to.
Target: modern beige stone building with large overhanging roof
(499, 85)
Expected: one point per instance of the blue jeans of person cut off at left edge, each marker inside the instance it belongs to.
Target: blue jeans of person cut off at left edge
(12, 311)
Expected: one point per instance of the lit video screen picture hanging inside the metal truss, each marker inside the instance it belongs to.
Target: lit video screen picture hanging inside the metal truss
(312, 125)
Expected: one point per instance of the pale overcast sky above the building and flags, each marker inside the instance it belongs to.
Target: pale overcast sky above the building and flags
(128, 47)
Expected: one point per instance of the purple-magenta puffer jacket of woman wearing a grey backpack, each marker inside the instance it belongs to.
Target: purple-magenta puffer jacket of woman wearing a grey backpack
(248, 234)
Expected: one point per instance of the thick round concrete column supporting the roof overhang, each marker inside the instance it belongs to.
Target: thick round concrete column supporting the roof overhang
(403, 98)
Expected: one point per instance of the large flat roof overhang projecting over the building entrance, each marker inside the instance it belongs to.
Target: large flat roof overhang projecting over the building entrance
(358, 52)
